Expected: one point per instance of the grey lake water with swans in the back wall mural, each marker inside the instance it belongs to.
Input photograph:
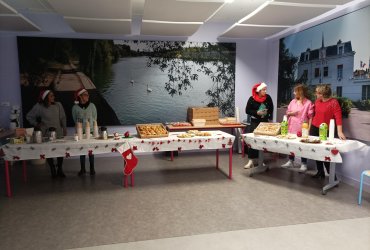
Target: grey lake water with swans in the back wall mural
(137, 93)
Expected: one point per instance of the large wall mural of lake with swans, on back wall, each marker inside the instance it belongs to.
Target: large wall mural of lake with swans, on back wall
(131, 81)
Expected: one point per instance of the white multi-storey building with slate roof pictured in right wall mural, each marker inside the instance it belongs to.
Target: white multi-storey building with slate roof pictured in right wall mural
(334, 65)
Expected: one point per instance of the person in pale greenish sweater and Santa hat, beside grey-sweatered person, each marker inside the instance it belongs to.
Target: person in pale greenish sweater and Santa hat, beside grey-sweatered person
(84, 110)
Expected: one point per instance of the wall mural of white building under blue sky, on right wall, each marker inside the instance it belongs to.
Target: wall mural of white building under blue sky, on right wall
(336, 52)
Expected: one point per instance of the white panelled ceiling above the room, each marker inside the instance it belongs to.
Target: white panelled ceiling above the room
(161, 18)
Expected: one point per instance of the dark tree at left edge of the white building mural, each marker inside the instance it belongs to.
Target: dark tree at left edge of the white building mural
(287, 68)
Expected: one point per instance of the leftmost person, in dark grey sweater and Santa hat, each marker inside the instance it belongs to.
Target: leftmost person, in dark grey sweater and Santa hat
(46, 114)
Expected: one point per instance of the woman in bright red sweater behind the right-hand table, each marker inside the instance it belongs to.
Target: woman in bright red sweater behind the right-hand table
(326, 108)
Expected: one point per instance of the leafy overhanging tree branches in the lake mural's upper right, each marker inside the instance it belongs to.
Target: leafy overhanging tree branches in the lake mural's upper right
(178, 58)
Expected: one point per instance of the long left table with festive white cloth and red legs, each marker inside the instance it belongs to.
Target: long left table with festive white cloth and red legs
(67, 147)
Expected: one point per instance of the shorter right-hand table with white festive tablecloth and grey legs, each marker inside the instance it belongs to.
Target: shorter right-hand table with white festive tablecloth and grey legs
(329, 151)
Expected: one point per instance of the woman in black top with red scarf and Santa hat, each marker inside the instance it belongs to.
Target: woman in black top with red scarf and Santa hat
(260, 108)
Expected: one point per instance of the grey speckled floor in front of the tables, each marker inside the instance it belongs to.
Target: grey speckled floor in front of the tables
(185, 200)
